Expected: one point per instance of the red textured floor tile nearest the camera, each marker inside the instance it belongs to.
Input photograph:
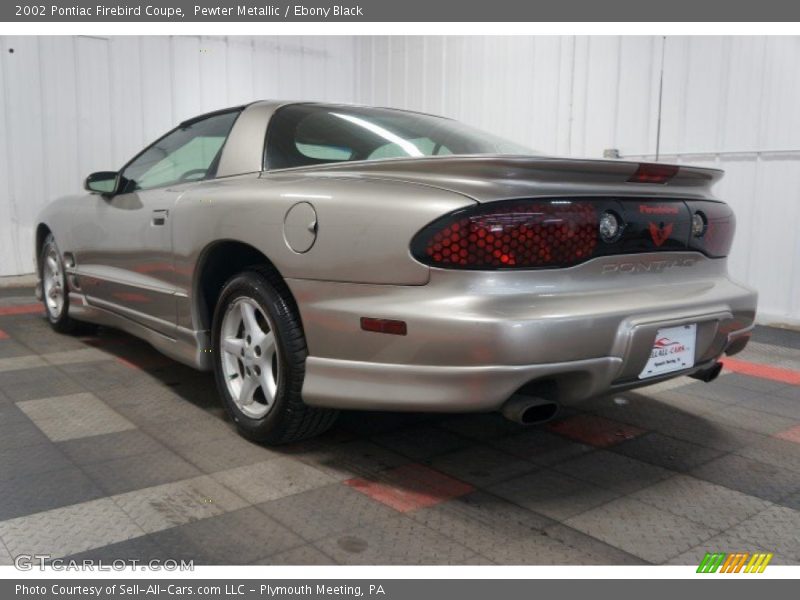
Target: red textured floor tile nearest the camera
(411, 487)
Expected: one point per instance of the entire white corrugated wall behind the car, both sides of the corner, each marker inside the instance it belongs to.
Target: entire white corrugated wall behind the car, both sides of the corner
(71, 105)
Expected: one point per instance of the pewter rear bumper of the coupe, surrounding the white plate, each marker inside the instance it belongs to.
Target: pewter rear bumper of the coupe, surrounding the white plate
(475, 338)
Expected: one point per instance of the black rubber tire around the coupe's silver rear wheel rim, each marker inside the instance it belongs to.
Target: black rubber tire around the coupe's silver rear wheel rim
(289, 418)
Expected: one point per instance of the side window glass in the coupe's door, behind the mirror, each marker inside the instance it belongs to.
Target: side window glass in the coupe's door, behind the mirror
(189, 153)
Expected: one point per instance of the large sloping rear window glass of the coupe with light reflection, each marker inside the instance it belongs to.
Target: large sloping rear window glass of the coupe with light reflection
(308, 134)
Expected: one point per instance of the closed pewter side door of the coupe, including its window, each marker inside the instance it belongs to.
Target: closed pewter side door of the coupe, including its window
(124, 260)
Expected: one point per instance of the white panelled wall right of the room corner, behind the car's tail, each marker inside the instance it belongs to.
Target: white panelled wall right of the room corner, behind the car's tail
(728, 102)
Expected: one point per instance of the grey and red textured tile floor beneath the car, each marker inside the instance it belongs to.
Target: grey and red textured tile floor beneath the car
(109, 450)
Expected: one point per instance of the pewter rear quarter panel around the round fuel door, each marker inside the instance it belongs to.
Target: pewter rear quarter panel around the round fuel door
(363, 233)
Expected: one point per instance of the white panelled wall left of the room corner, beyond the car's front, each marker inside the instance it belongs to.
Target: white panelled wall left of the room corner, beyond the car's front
(73, 105)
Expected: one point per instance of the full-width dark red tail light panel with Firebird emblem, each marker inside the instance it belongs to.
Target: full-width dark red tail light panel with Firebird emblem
(559, 232)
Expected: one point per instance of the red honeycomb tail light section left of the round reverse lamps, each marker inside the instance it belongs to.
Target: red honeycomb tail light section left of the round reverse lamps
(518, 233)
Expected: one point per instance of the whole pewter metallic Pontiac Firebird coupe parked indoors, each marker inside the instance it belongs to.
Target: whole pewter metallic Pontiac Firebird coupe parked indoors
(321, 257)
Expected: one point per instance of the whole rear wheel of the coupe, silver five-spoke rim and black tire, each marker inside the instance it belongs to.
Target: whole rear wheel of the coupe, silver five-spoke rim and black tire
(259, 360)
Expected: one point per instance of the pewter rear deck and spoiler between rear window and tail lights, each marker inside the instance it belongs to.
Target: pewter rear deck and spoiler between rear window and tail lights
(490, 178)
